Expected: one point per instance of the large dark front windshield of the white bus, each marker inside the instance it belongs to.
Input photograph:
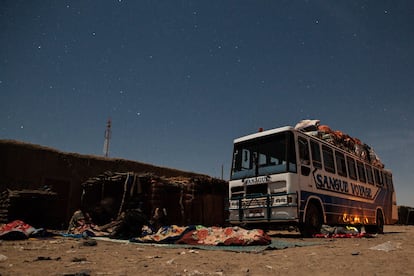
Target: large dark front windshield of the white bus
(264, 156)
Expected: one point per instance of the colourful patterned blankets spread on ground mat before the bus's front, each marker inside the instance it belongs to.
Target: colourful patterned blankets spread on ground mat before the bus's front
(201, 235)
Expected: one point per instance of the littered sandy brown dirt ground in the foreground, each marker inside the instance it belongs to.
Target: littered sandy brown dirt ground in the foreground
(389, 254)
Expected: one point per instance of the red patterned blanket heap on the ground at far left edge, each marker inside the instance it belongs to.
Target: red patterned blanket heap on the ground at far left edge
(18, 230)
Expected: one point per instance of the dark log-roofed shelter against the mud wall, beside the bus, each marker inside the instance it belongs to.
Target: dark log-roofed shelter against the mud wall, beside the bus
(187, 200)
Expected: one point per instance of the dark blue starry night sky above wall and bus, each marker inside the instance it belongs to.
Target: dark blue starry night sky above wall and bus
(181, 79)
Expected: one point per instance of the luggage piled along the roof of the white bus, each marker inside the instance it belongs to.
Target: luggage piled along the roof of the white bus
(340, 139)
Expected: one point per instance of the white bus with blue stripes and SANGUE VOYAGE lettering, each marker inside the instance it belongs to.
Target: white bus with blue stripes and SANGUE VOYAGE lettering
(287, 176)
